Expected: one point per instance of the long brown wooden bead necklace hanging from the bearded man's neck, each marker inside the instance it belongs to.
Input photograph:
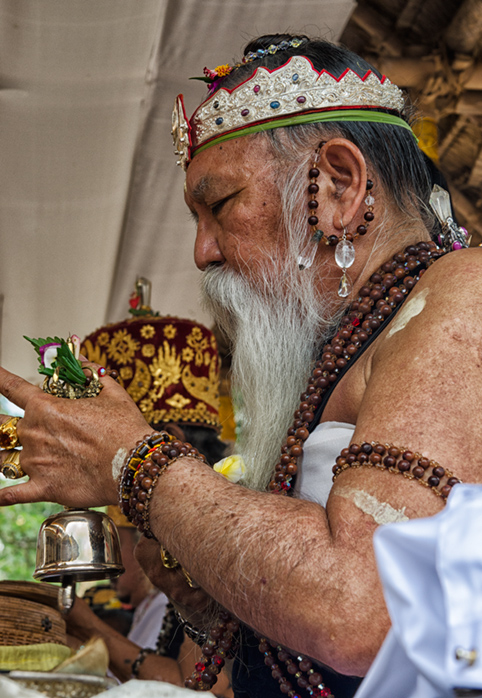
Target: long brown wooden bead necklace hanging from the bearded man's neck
(377, 301)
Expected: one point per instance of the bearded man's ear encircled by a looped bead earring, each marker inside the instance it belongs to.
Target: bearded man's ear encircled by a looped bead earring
(343, 163)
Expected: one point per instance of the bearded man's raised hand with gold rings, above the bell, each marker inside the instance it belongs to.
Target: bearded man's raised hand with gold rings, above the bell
(72, 450)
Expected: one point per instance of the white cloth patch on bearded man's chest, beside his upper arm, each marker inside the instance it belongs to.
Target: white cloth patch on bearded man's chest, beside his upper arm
(323, 446)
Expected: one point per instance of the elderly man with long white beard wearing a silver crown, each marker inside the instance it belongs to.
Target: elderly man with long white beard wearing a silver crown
(314, 235)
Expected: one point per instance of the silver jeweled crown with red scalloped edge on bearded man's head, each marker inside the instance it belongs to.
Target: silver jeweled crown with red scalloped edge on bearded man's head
(269, 95)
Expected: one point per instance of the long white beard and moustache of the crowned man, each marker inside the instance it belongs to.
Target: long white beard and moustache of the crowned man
(276, 335)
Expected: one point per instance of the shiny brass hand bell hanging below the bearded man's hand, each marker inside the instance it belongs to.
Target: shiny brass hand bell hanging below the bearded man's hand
(77, 545)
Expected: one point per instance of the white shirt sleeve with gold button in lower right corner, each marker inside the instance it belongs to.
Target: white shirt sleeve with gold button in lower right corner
(431, 571)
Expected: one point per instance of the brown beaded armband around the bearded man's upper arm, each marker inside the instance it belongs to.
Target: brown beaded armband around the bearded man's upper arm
(397, 460)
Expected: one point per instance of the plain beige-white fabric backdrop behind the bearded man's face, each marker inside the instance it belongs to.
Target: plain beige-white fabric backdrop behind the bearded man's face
(90, 195)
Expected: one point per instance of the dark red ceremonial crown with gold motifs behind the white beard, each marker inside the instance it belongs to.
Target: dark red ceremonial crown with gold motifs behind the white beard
(168, 365)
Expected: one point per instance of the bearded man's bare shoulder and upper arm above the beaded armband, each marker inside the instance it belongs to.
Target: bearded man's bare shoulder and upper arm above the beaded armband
(424, 383)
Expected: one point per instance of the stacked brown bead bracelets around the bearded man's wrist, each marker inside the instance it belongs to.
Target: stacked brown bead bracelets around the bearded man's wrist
(144, 466)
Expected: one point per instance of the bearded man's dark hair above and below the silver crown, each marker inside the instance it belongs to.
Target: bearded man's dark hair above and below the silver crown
(391, 150)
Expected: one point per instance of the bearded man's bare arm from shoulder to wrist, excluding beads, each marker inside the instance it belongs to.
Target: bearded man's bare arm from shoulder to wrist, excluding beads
(304, 576)
